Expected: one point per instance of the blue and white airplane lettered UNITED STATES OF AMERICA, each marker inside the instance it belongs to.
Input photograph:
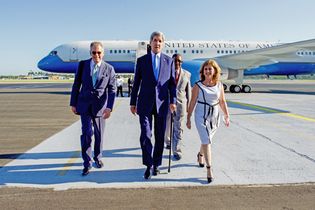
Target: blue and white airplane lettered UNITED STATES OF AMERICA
(236, 58)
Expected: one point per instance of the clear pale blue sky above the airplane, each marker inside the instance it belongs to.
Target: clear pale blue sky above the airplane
(29, 30)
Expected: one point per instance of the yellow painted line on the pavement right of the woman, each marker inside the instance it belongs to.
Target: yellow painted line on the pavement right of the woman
(270, 110)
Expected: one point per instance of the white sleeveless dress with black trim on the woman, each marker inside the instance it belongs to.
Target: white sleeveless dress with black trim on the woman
(207, 116)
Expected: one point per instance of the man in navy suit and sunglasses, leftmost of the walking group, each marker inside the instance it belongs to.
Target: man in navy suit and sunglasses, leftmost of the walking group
(92, 97)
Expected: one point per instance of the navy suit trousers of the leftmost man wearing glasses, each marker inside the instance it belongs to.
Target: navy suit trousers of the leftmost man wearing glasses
(98, 123)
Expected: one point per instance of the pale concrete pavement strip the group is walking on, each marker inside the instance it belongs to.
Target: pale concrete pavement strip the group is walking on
(271, 140)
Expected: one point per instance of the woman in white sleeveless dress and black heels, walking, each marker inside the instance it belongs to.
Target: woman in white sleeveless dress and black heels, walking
(208, 94)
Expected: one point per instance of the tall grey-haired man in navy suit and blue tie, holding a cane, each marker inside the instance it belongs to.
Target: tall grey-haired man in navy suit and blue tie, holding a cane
(153, 93)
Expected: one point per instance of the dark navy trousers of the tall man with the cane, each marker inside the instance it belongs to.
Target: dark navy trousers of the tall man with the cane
(145, 138)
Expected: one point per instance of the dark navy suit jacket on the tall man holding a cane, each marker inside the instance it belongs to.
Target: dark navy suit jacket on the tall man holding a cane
(147, 91)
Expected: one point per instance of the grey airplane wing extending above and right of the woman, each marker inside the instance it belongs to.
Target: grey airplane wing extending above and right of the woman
(271, 55)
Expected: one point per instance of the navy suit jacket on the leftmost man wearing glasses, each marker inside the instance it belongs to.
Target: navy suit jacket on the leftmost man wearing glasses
(87, 98)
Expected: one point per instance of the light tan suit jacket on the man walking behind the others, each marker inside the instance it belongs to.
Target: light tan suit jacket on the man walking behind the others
(183, 91)
